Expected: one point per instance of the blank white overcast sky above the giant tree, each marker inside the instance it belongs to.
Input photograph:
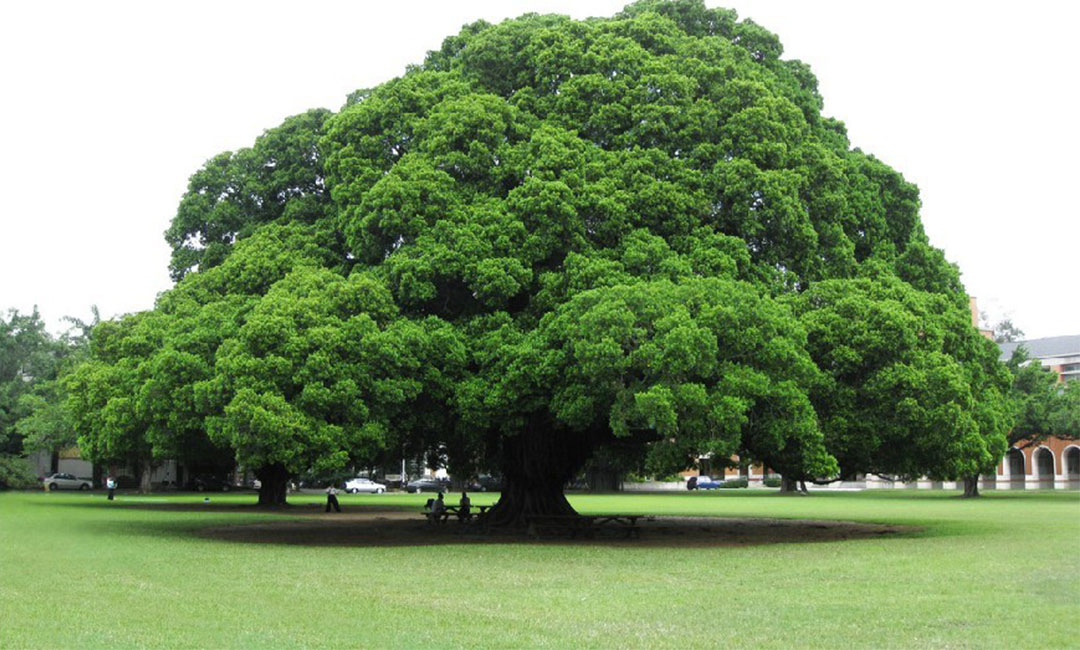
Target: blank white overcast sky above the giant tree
(107, 109)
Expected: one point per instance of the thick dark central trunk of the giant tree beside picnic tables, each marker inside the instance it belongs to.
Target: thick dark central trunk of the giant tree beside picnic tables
(536, 467)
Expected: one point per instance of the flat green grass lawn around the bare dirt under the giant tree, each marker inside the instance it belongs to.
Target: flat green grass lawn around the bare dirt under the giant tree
(1000, 572)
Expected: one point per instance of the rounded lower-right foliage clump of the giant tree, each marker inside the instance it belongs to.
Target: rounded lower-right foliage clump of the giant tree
(910, 387)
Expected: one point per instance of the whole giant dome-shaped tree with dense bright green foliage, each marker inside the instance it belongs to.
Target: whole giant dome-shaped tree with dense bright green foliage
(551, 239)
